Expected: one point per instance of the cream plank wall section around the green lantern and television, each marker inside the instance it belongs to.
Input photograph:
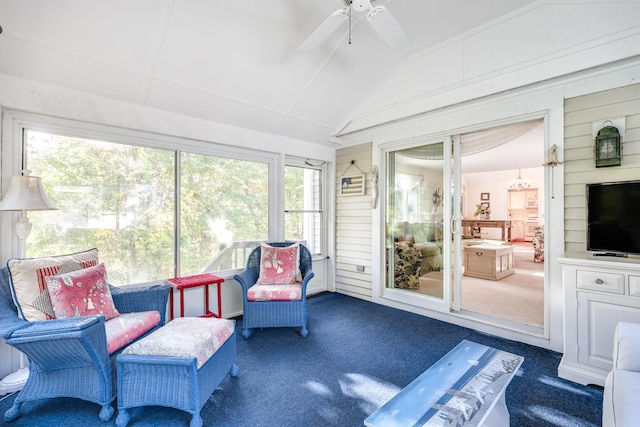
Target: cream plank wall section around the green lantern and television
(579, 168)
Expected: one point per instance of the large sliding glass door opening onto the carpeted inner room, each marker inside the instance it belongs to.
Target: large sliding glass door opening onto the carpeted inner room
(449, 223)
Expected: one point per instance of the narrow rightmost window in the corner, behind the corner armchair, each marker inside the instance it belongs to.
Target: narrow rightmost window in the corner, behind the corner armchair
(303, 206)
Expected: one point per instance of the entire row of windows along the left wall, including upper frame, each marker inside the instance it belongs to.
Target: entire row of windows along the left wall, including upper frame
(155, 211)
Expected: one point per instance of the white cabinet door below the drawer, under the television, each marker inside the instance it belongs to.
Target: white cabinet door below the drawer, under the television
(598, 315)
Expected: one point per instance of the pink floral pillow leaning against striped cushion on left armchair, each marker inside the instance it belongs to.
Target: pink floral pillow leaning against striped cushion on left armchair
(82, 293)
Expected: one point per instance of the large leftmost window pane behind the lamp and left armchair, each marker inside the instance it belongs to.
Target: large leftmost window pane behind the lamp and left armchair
(117, 198)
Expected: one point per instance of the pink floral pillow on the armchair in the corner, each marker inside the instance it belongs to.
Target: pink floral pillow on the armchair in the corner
(278, 266)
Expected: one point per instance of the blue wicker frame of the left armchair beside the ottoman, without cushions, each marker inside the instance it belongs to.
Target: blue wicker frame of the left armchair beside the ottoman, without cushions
(68, 357)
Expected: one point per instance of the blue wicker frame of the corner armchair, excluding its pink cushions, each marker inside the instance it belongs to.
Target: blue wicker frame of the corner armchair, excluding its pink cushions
(274, 314)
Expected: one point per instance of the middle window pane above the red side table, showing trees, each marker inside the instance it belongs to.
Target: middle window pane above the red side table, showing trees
(224, 211)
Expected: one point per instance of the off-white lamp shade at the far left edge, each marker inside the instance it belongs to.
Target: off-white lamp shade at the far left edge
(25, 193)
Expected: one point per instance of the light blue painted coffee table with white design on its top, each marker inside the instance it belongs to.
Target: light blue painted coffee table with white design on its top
(466, 386)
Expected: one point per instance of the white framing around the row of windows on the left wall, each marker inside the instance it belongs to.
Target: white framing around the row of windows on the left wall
(13, 160)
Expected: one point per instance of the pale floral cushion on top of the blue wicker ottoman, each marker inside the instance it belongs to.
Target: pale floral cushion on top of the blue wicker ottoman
(185, 337)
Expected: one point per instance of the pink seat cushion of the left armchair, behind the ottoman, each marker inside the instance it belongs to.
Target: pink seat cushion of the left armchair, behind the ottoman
(127, 327)
